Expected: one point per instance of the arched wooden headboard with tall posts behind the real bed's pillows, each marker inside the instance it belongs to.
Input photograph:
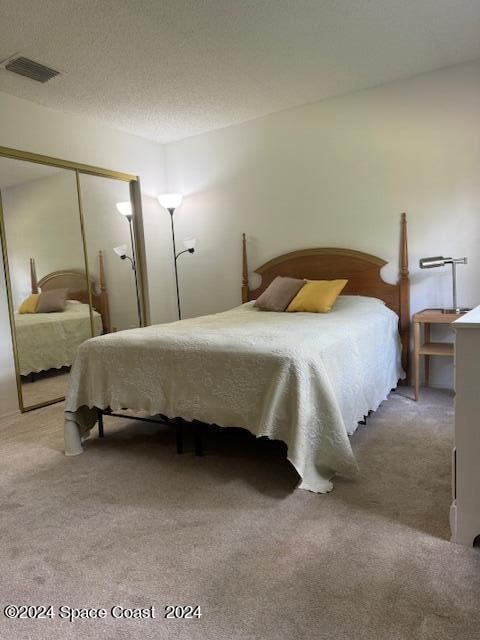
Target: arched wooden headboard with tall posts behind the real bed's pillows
(362, 271)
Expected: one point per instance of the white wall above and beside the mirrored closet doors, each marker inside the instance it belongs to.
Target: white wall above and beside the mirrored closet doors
(27, 126)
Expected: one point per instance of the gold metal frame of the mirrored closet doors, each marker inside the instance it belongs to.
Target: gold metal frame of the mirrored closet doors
(77, 169)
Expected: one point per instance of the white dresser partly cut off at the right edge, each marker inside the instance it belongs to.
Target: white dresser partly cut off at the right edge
(465, 509)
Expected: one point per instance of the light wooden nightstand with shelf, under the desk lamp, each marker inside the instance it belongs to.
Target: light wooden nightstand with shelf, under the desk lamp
(427, 349)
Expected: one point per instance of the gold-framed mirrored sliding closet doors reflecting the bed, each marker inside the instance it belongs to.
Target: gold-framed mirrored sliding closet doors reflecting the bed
(73, 264)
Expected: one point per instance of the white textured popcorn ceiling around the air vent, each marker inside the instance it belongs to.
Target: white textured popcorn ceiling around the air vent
(174, 68)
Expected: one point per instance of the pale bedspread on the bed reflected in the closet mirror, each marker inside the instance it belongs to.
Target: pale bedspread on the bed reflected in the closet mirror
(50, 340)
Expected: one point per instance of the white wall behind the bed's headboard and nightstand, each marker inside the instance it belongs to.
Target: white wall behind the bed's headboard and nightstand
(338, 173)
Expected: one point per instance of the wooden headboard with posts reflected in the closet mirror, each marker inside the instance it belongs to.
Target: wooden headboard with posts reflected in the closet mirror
(75, 280)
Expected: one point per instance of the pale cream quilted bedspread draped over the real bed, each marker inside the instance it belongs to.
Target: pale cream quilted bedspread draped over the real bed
(303, 378)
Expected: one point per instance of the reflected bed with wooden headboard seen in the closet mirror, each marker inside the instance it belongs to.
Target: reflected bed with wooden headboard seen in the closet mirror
(50, 340)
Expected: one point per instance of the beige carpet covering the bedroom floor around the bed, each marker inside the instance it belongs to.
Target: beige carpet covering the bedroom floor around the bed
(131, 523)
